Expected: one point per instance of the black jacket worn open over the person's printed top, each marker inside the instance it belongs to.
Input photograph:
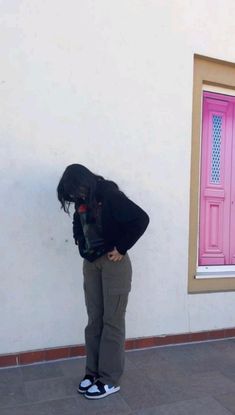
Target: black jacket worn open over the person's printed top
(123, 222)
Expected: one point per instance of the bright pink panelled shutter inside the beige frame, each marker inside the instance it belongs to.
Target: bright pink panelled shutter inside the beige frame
(217, 193)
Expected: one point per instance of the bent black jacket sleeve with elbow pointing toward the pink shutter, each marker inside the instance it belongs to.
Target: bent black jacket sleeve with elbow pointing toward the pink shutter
(132, 219)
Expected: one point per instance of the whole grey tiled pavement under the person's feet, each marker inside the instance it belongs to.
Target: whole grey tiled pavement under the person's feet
(193, 379)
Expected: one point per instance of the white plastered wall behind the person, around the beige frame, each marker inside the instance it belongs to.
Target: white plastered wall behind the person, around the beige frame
(107, 84)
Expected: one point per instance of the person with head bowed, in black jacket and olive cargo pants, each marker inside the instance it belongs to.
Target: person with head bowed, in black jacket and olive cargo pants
(106, 224)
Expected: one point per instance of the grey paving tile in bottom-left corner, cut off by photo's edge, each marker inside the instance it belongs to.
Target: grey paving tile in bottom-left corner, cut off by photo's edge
(67, 406)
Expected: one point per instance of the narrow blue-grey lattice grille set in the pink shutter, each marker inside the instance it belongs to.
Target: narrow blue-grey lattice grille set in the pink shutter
(216, 148)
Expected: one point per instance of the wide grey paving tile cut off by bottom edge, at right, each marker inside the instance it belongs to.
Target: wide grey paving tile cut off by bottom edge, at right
(206, 406)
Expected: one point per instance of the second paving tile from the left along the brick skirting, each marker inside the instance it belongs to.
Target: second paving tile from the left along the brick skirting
(41, 371)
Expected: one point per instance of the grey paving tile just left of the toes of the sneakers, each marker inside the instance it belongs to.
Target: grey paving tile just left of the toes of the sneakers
(48, 389)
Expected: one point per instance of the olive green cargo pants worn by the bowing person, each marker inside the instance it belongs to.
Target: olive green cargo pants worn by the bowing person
(106, 286)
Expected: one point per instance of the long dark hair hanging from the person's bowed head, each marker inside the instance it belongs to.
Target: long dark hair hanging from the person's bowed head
(74, 177)
